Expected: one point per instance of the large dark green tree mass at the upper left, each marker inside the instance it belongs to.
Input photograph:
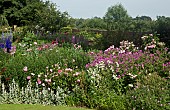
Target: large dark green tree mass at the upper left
(33, 12)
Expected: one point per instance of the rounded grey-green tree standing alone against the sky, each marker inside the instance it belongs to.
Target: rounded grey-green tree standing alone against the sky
(117, 18)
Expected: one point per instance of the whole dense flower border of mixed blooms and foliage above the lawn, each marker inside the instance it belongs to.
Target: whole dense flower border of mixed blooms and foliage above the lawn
(108, 82)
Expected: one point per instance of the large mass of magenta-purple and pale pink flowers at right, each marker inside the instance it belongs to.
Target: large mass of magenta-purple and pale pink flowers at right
(128, 62)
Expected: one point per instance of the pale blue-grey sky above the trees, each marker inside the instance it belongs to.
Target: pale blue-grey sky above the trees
(92, 8)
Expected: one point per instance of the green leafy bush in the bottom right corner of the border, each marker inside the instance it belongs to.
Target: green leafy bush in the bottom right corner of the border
(151, 93)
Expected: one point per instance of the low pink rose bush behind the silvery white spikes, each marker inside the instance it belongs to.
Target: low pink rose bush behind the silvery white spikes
(66, 78)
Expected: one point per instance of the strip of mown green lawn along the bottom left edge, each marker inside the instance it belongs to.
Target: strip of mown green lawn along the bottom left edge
(36, 107)
